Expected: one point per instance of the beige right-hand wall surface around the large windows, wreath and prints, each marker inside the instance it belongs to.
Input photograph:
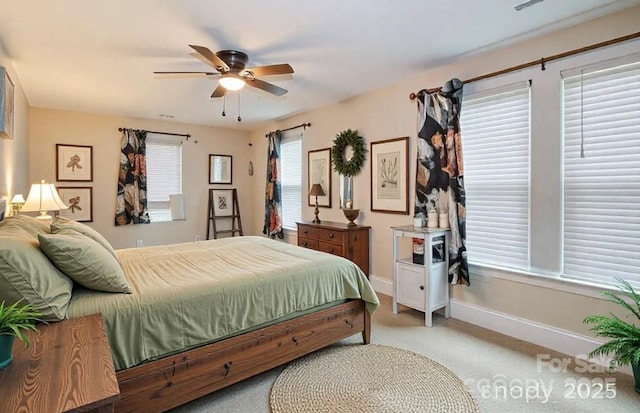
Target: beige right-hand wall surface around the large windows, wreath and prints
(388, 113)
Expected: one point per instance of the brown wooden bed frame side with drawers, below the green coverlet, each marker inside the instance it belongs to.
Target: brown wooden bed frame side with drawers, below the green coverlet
(172, 381)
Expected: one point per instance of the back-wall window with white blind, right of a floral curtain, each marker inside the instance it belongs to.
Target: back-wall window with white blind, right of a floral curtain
(164, 175)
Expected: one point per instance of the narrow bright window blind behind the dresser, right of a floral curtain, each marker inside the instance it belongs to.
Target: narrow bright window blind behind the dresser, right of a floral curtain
(291, 179)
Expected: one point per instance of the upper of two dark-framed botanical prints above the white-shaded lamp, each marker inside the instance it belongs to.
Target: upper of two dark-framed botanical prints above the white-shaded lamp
(74, 163)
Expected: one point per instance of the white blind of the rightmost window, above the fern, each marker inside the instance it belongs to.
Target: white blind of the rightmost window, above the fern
(602, 188)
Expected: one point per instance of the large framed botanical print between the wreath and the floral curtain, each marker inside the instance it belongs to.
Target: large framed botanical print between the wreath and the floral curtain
(389, 176)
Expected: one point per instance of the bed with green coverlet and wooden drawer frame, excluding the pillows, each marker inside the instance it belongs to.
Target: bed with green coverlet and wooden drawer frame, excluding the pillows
(205, 315)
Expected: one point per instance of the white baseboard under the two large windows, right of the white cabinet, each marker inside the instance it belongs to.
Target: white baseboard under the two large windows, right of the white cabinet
(563, 341)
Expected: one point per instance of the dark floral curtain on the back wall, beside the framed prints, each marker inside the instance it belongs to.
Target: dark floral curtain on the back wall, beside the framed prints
(131, 204)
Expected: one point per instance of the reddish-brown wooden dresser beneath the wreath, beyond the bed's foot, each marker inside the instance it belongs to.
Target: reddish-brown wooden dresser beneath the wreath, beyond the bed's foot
(351, 242)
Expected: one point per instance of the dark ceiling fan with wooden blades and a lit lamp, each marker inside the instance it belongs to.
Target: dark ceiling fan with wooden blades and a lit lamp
(234, 75)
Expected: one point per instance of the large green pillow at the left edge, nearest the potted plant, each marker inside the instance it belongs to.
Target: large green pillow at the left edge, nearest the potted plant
(26, 274)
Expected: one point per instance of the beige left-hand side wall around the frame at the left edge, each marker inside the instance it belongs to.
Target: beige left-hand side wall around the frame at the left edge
(14, 153)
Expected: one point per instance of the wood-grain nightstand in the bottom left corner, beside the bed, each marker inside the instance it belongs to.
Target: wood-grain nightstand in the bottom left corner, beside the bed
(67, 368)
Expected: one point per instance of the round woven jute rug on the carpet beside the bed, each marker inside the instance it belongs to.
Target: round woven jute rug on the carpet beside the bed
(371, 379)
